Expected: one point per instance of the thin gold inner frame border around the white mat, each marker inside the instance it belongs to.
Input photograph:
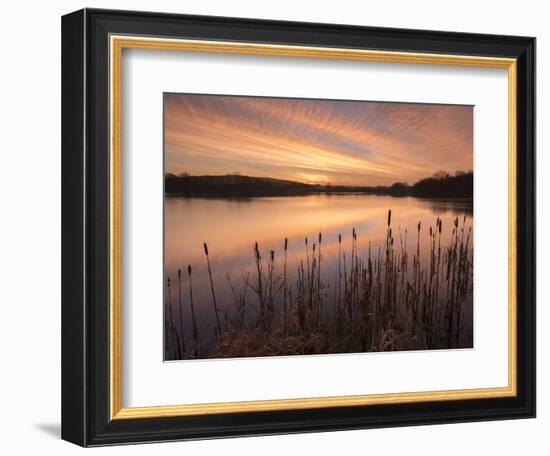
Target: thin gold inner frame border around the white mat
(116, 46)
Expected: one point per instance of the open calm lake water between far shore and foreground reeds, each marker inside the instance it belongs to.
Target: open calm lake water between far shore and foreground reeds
(231, 227)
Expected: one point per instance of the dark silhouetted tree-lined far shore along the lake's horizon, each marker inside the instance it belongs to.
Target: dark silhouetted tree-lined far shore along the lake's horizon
(441, 184)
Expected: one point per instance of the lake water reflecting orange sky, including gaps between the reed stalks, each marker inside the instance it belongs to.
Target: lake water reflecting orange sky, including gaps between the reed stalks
(232, 227)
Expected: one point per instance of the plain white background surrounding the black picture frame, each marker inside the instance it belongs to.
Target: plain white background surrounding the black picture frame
(30, 262)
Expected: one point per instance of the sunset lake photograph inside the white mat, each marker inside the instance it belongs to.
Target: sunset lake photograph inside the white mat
(314, 226)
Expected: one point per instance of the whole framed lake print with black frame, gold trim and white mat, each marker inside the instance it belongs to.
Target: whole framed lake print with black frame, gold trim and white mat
(279, 227)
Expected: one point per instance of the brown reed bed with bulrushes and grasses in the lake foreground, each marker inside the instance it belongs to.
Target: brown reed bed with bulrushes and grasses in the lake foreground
(387, 297)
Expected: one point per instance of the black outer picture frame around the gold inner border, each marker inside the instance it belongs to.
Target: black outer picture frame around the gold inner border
(85, 228)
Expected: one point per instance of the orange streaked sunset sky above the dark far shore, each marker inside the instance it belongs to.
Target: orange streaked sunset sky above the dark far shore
(315, 141)
